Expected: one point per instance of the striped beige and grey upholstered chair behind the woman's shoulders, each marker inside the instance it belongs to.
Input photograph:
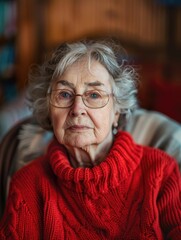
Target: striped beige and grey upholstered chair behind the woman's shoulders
(26, 140)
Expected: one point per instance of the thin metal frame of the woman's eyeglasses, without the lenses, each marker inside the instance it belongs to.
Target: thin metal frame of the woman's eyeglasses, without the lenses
(79, 95)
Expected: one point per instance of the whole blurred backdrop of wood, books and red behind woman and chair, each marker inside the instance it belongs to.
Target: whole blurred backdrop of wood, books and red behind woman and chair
(150, 31)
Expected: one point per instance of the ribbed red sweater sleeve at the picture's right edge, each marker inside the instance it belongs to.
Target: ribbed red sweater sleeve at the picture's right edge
(169, 203)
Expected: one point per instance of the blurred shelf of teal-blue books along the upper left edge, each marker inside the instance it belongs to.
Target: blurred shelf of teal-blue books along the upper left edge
(8, 30)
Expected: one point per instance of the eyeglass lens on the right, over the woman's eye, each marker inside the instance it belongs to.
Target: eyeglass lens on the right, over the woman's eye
(95, 99)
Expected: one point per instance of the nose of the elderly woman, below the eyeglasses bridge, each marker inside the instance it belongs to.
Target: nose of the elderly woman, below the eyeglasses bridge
(78, 108)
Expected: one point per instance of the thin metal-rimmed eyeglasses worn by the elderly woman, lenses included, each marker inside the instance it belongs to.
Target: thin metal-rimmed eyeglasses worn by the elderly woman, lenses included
(64, 98)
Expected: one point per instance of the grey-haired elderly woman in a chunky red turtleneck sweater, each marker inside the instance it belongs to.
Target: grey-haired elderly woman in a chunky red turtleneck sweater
(94, 182)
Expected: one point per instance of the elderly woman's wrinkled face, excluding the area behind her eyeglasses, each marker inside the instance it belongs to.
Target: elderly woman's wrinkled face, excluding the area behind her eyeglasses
(78, 125)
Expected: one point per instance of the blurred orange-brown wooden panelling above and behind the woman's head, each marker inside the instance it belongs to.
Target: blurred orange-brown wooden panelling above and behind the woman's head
(140, 26)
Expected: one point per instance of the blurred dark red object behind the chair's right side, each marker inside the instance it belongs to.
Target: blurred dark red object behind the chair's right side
(166, 98)
